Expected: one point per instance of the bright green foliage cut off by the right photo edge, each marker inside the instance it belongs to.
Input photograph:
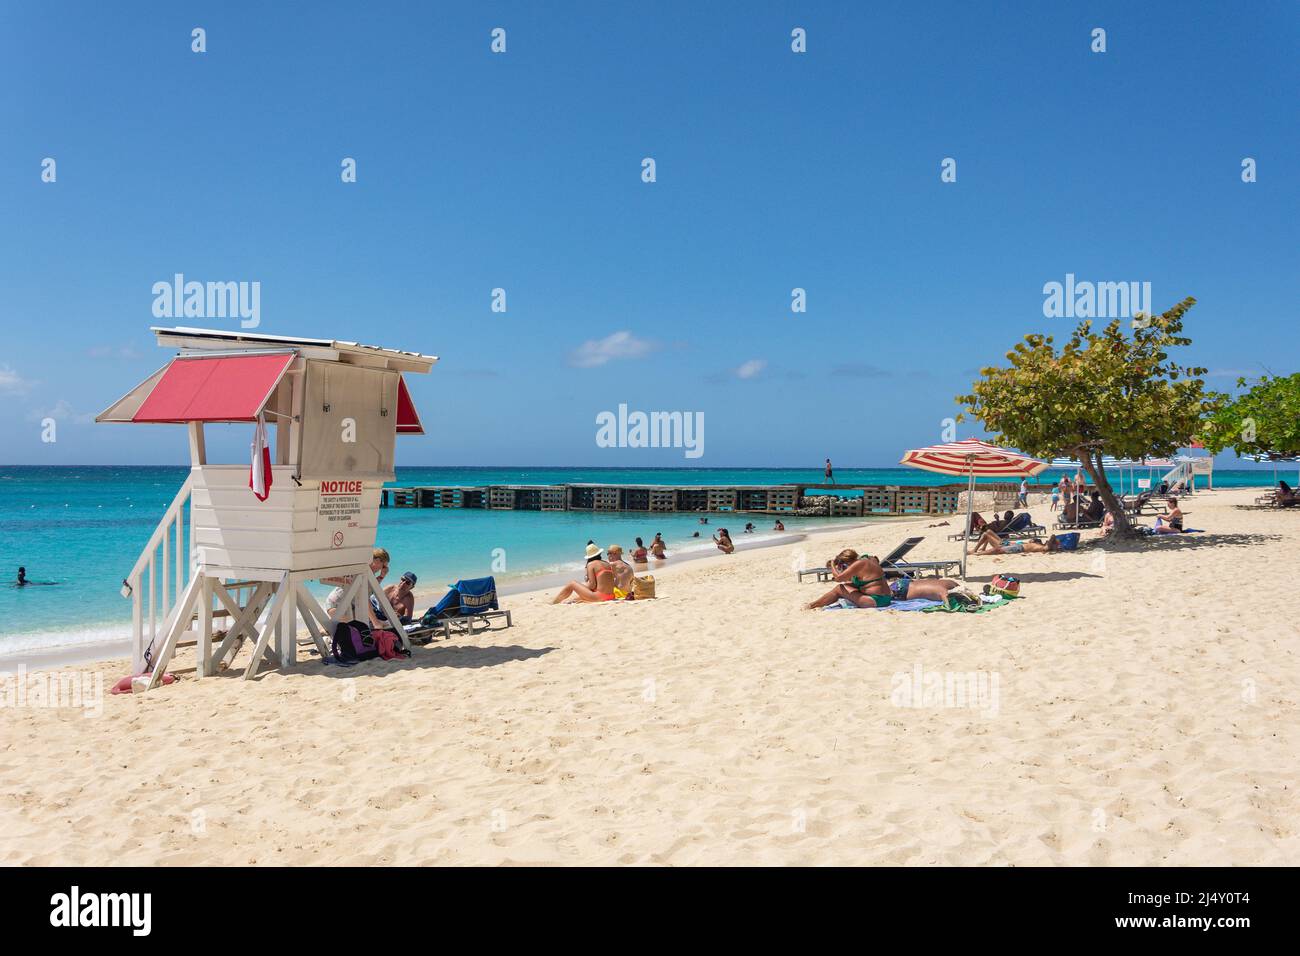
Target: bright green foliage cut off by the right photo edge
(1264, 422)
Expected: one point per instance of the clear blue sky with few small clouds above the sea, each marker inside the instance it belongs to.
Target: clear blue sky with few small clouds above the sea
(523, 171)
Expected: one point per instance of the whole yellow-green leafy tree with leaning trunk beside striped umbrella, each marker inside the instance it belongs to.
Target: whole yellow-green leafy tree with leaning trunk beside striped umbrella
(1104, 393)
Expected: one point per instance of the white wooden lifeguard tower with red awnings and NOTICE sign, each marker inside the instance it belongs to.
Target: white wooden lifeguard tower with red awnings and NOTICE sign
(337, 409)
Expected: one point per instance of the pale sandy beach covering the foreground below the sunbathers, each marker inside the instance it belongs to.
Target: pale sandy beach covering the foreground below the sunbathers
(1146, 713)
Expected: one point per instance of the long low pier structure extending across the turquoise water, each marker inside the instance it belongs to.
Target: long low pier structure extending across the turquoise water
(838, 501)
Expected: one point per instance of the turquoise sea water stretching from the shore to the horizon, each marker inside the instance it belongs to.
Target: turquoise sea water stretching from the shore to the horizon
(84, 527)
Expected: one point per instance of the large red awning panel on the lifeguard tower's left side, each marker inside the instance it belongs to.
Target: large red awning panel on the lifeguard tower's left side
(229, 388)
